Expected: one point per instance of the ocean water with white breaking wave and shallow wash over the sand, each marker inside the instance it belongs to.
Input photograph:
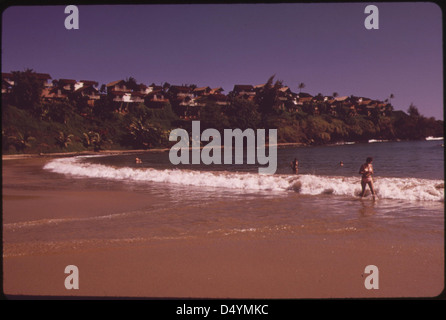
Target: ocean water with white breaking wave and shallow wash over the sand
(200, 201)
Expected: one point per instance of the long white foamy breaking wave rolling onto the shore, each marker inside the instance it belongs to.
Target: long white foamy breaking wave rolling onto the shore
(387, 188)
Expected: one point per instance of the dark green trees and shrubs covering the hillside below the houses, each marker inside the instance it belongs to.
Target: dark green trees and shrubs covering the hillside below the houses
(33, 125)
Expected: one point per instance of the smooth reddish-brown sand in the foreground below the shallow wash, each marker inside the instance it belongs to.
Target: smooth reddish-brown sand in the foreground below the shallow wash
(278, 269)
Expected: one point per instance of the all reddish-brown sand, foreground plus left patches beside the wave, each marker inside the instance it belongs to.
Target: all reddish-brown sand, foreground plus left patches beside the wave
(279, 267)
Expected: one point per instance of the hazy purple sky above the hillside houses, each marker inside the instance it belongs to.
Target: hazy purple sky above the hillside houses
(325, 46)
